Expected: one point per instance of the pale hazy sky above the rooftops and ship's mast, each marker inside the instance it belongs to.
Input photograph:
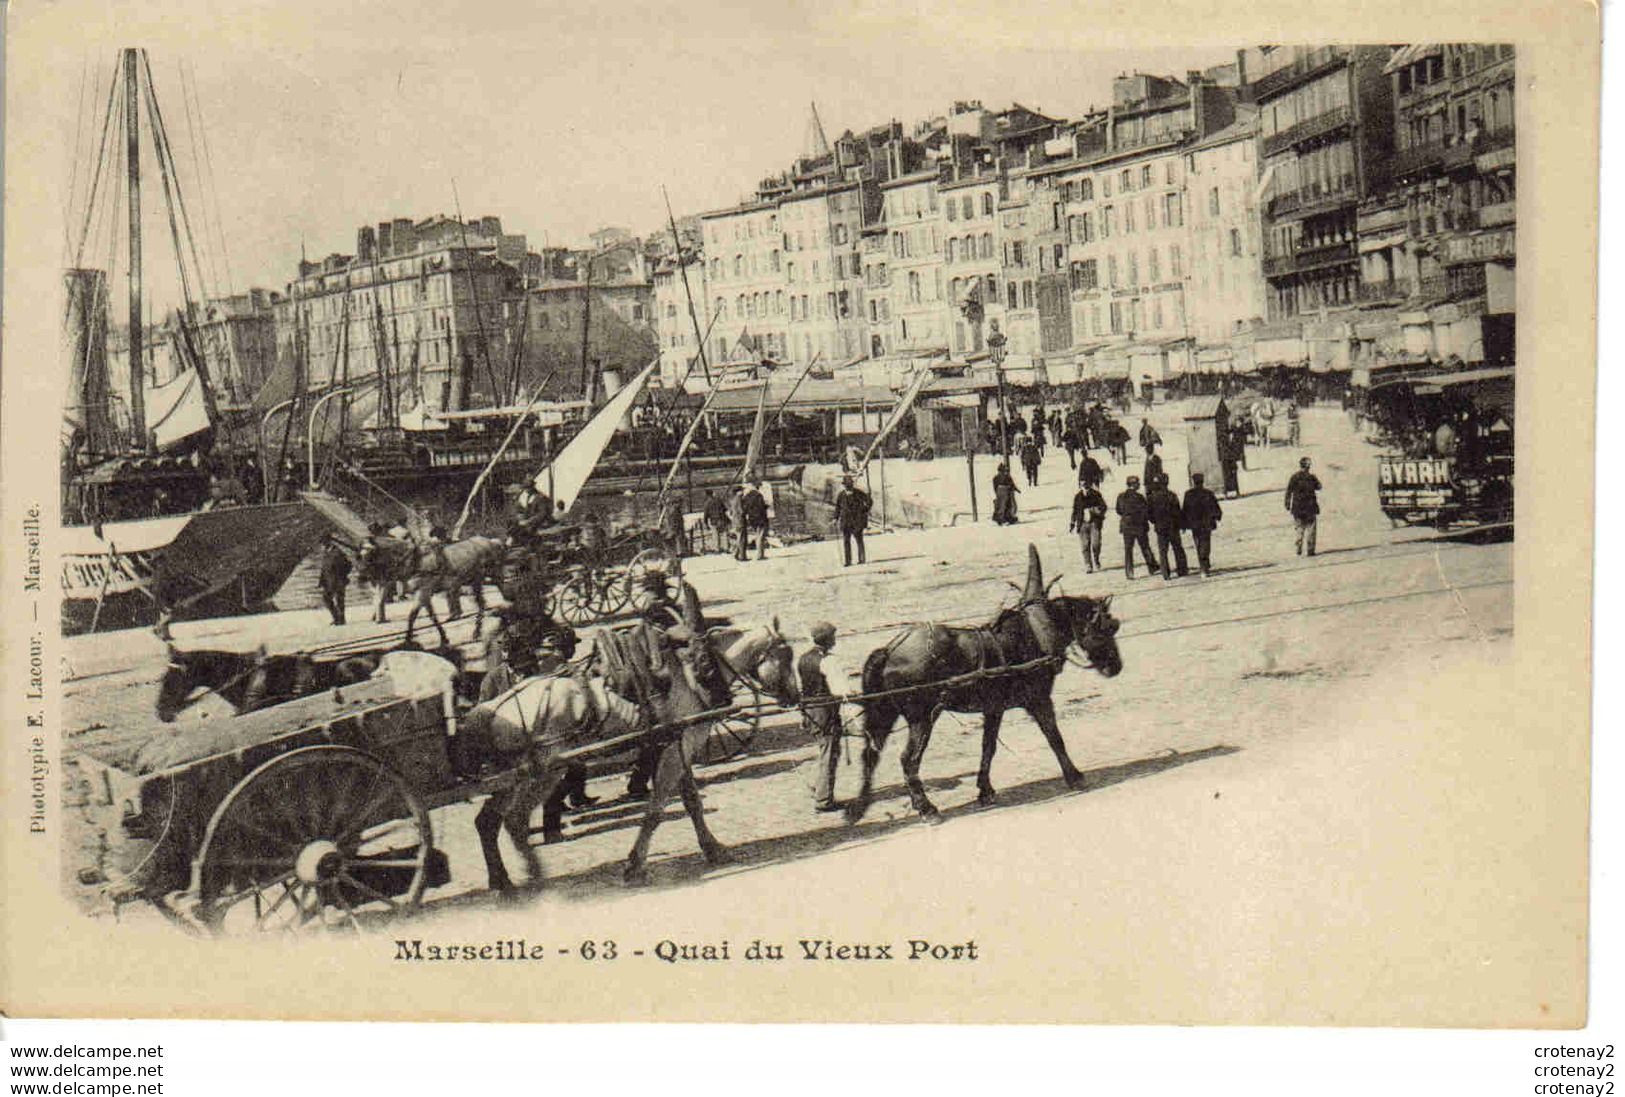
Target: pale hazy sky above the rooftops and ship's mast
(558, 119)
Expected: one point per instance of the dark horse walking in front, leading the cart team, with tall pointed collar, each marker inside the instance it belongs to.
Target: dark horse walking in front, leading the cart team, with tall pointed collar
(1038, 628)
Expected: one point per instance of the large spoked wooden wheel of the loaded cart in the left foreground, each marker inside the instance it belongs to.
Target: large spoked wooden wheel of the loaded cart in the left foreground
(319, 838)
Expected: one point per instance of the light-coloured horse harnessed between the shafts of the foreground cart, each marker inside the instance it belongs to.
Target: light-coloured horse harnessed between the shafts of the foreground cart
(648, 677)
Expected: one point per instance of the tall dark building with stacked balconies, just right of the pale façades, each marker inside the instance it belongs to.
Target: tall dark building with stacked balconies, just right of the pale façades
(1325, 142)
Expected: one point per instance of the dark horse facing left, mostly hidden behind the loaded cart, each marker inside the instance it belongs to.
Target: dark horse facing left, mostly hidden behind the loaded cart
(251, 680)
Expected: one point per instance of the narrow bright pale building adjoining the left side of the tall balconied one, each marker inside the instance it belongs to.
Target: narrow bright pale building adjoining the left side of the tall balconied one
(1226, 290)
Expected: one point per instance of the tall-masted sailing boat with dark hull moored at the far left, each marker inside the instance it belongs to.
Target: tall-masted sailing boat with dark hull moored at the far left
(147, 535)
